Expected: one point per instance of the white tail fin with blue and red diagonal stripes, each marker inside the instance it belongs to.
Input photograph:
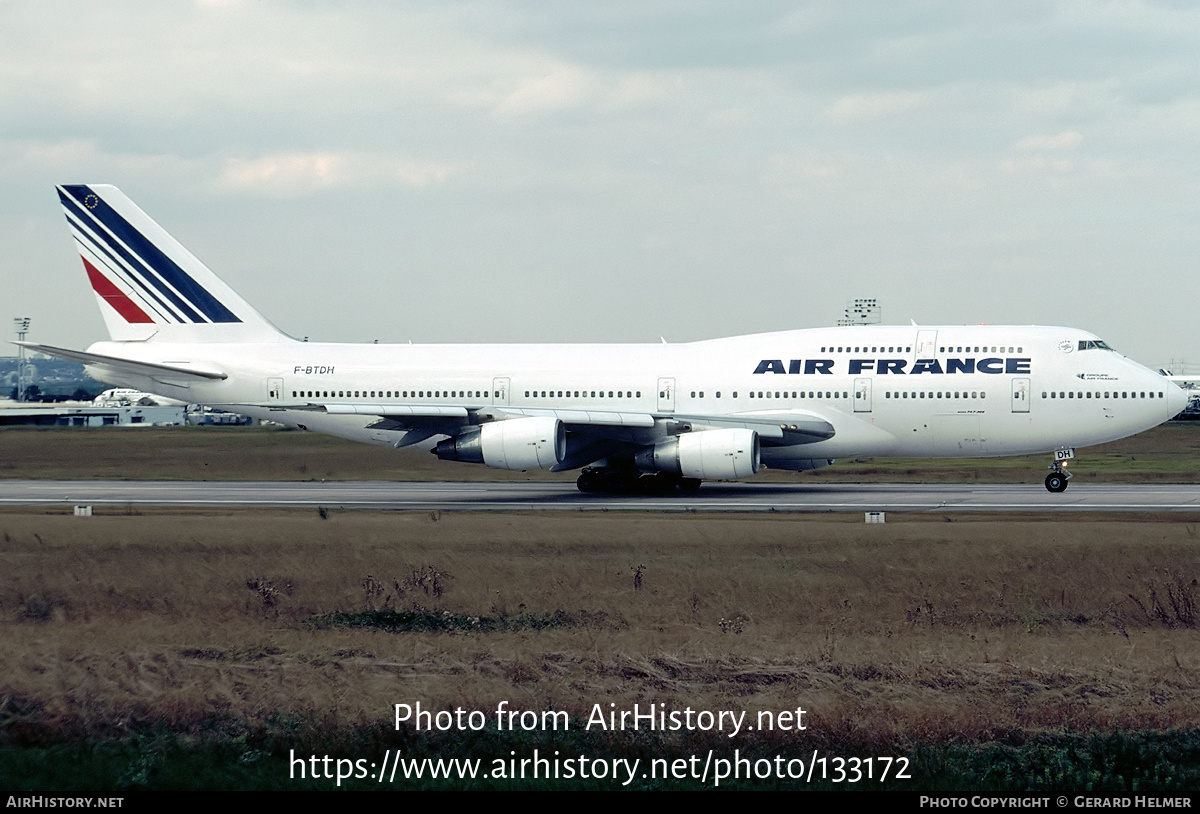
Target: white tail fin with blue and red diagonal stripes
(148, 286)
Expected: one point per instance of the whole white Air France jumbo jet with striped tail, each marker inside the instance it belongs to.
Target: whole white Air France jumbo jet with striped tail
(633, 417)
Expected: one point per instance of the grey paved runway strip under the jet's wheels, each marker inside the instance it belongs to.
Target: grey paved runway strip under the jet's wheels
(563, 498)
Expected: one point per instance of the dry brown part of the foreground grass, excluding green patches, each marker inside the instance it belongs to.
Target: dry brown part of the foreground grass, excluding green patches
(914, 631)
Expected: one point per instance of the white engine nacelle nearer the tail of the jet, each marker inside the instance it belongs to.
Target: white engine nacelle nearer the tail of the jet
(520, 444)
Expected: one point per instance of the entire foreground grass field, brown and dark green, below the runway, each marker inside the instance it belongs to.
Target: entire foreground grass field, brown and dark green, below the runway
(200, 649)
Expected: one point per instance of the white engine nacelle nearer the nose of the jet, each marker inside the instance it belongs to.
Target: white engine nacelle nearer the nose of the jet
(709, 456)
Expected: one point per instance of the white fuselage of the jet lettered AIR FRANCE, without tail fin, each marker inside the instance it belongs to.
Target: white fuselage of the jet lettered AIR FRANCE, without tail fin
(938, 392)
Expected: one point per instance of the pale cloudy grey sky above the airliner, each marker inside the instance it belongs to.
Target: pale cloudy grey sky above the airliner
(539, 171)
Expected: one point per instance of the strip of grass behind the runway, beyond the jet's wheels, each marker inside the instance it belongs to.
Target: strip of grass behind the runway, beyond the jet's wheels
(1167, 454)
